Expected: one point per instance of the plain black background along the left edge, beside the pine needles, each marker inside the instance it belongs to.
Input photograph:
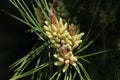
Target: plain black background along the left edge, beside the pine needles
(14, 40)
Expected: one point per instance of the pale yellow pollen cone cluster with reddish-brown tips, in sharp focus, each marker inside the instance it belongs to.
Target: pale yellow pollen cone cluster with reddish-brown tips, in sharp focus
(64, 39)
